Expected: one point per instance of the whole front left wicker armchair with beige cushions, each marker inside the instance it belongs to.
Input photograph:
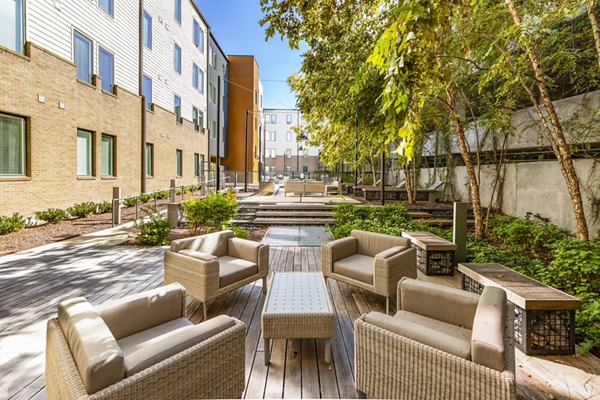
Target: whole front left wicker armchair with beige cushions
(142, 347)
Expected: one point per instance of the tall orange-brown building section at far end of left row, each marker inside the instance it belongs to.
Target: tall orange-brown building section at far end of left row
(244, 93)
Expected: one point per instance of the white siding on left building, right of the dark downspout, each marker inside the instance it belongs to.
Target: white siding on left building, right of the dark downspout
(158, 61)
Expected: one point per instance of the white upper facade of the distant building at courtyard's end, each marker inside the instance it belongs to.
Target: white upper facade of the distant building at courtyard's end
(281, 128)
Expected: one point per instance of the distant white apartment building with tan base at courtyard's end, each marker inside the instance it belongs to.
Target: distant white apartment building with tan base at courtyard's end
(285, 152)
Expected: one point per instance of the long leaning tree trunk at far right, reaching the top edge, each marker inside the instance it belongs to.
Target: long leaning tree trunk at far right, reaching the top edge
(563, 153)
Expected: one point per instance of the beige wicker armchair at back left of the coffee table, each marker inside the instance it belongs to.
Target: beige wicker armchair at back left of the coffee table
(213, 264)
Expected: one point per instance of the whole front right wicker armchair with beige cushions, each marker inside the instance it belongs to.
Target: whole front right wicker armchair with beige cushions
(444, 343)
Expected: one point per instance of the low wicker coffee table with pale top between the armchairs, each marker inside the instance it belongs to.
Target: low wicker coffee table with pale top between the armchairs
(297, 306)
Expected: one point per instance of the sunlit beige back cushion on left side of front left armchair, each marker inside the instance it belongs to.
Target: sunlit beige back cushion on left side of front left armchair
(95, 351)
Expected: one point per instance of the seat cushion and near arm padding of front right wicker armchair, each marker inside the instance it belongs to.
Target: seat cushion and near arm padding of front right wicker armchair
(437, 334)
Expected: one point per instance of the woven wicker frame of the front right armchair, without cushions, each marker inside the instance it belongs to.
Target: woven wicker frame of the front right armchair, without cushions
(391, 366)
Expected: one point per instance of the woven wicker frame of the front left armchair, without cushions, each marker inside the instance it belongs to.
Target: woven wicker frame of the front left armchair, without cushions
(213, 368)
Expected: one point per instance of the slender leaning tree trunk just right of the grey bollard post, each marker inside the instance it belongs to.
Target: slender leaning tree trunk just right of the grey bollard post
(471, 175)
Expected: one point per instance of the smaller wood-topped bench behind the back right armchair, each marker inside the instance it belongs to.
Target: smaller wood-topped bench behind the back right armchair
(435, 256)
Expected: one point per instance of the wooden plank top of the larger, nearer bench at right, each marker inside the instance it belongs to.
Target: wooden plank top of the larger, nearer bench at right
(521, 290)
